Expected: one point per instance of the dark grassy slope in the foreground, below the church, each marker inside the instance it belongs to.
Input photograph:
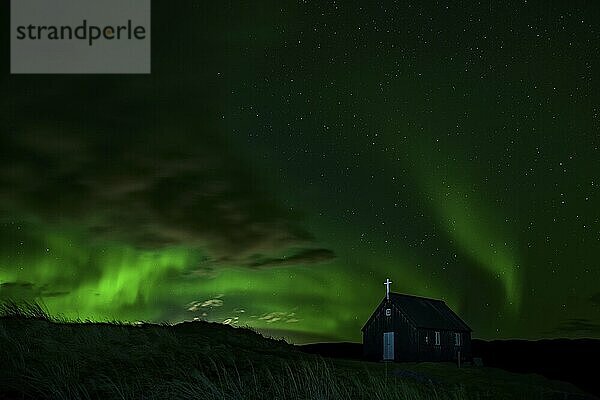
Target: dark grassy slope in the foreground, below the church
(45, 358)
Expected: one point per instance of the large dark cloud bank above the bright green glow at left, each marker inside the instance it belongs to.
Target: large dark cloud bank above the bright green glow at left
(165, 182)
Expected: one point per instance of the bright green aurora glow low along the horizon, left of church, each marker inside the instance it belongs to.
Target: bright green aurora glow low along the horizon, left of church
(113, 281)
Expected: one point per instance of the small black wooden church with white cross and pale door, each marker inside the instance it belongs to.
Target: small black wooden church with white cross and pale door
(411, 328)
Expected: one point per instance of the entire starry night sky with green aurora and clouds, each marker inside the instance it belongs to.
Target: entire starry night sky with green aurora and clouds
(284, 158)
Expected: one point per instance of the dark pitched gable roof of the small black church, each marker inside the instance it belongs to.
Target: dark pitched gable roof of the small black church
(427, 313)
